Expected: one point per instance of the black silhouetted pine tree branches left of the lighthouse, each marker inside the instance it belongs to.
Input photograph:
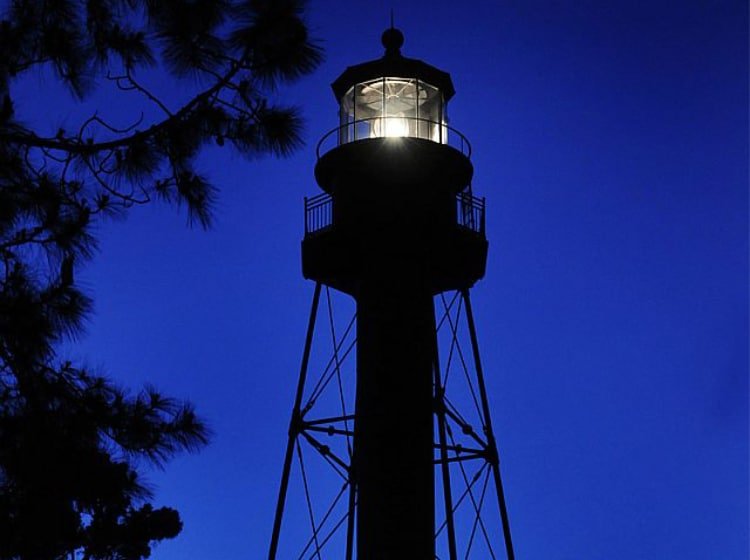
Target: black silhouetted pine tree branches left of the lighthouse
(70, 441)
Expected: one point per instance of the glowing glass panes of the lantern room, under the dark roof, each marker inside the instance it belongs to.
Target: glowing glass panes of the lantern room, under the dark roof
(392, 107)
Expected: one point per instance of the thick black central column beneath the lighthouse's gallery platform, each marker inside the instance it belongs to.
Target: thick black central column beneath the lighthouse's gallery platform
(393, 453)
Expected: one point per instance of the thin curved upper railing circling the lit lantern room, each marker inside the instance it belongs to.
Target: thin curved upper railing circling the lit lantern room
(440, 133)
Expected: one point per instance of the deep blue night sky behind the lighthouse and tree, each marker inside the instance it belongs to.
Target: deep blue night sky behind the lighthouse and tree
(611, 142)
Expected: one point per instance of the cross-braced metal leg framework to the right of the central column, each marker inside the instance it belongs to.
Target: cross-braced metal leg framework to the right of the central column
(466, 448)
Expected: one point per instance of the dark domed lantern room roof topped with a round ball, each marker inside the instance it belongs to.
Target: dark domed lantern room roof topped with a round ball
(393, 64)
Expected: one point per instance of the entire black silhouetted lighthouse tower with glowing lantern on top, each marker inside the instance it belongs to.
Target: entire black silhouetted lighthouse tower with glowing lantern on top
(396, 227)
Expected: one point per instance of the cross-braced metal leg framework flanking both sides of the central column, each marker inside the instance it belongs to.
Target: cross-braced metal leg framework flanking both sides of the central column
(321, 433)
